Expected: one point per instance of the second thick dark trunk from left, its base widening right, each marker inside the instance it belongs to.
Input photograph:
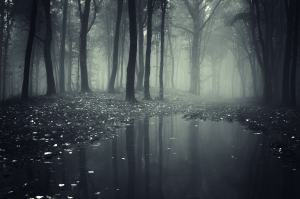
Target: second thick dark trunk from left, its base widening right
(47, 50)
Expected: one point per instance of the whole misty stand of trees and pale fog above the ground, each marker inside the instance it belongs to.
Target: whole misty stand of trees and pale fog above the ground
(215, 48)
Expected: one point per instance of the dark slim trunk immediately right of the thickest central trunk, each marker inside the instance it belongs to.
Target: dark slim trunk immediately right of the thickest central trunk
(147, 95)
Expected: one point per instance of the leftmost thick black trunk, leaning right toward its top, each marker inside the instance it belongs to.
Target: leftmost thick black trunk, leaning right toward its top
(29, 49)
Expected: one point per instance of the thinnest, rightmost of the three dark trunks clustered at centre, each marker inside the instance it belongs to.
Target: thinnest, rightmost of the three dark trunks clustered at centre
(161, 86)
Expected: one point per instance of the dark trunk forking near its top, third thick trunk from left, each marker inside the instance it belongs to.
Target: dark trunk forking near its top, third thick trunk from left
(83, 43)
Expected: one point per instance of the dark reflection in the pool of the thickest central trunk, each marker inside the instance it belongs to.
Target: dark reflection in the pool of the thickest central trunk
(131, 161)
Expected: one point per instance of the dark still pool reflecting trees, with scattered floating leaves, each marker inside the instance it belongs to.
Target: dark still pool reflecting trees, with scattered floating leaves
(164, 157)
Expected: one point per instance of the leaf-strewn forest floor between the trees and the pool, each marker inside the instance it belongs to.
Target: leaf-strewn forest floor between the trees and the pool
(41, 127)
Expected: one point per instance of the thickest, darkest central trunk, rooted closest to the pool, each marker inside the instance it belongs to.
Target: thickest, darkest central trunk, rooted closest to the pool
(132, 52)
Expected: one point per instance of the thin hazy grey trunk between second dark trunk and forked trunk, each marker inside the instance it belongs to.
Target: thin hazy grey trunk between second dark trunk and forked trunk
(62, 49)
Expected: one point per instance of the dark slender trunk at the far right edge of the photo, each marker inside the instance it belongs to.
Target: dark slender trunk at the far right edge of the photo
(293, 101)
